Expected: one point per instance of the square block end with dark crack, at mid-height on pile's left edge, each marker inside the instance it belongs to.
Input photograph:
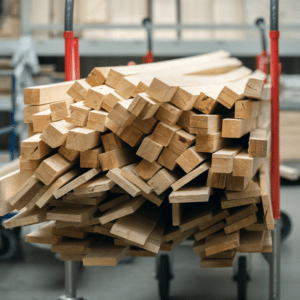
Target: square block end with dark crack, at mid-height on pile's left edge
(35, 148)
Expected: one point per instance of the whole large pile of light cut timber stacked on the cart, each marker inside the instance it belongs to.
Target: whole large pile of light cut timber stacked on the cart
(137, 159)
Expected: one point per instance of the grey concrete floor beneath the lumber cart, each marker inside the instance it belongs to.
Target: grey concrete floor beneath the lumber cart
(41, 276)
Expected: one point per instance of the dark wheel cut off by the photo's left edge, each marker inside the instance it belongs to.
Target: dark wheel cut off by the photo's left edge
(9, 244)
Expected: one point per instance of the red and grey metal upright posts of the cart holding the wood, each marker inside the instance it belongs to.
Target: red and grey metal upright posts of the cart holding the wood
(72, 67)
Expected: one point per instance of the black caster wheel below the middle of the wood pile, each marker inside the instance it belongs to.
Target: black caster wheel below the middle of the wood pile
(164, 277)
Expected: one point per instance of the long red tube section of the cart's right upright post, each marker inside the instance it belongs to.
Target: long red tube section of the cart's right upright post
(275, 160)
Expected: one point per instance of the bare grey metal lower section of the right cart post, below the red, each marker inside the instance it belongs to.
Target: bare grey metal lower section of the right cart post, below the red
(274, 275)
